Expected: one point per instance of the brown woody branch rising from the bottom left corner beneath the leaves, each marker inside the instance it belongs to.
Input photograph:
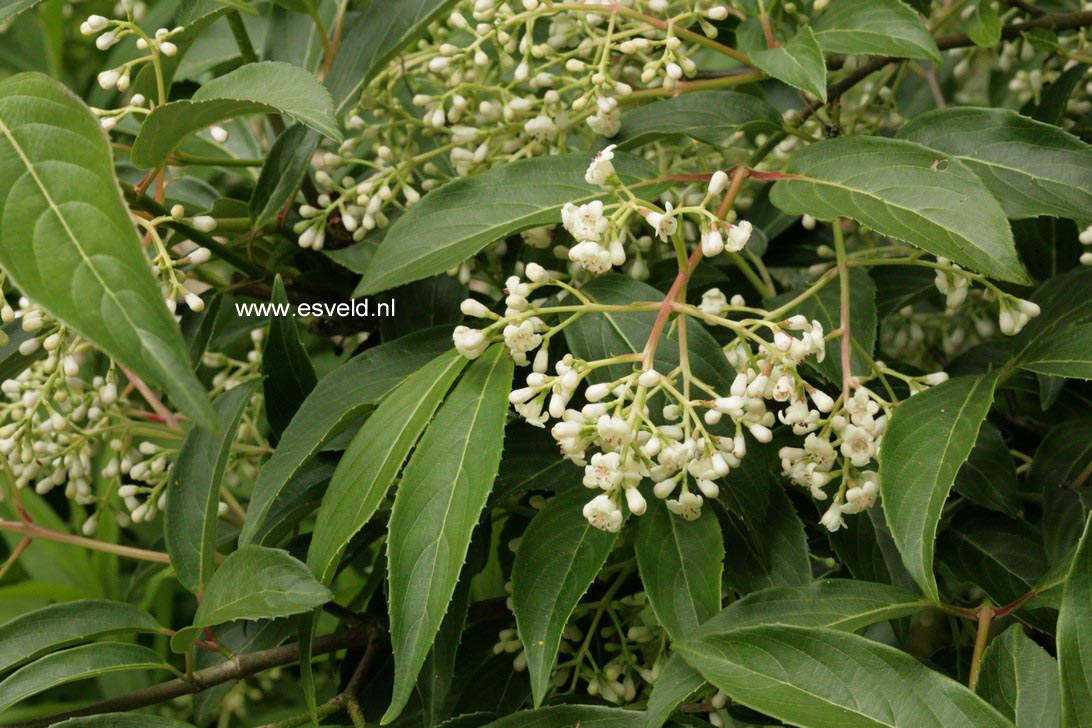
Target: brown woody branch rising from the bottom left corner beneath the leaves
(238, 669)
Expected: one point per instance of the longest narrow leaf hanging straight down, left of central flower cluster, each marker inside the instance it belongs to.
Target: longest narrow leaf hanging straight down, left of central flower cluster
(444, 490)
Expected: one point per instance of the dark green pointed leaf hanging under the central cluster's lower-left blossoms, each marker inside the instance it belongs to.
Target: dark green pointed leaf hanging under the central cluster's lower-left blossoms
(559, 558)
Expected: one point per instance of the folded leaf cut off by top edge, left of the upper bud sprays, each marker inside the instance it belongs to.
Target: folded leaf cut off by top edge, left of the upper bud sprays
(378, 33)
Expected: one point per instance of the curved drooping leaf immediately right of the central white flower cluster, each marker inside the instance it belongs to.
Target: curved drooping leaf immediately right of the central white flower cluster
(927, 443)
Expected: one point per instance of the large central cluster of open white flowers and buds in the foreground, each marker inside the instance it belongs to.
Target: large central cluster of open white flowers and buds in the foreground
(672, 434)
